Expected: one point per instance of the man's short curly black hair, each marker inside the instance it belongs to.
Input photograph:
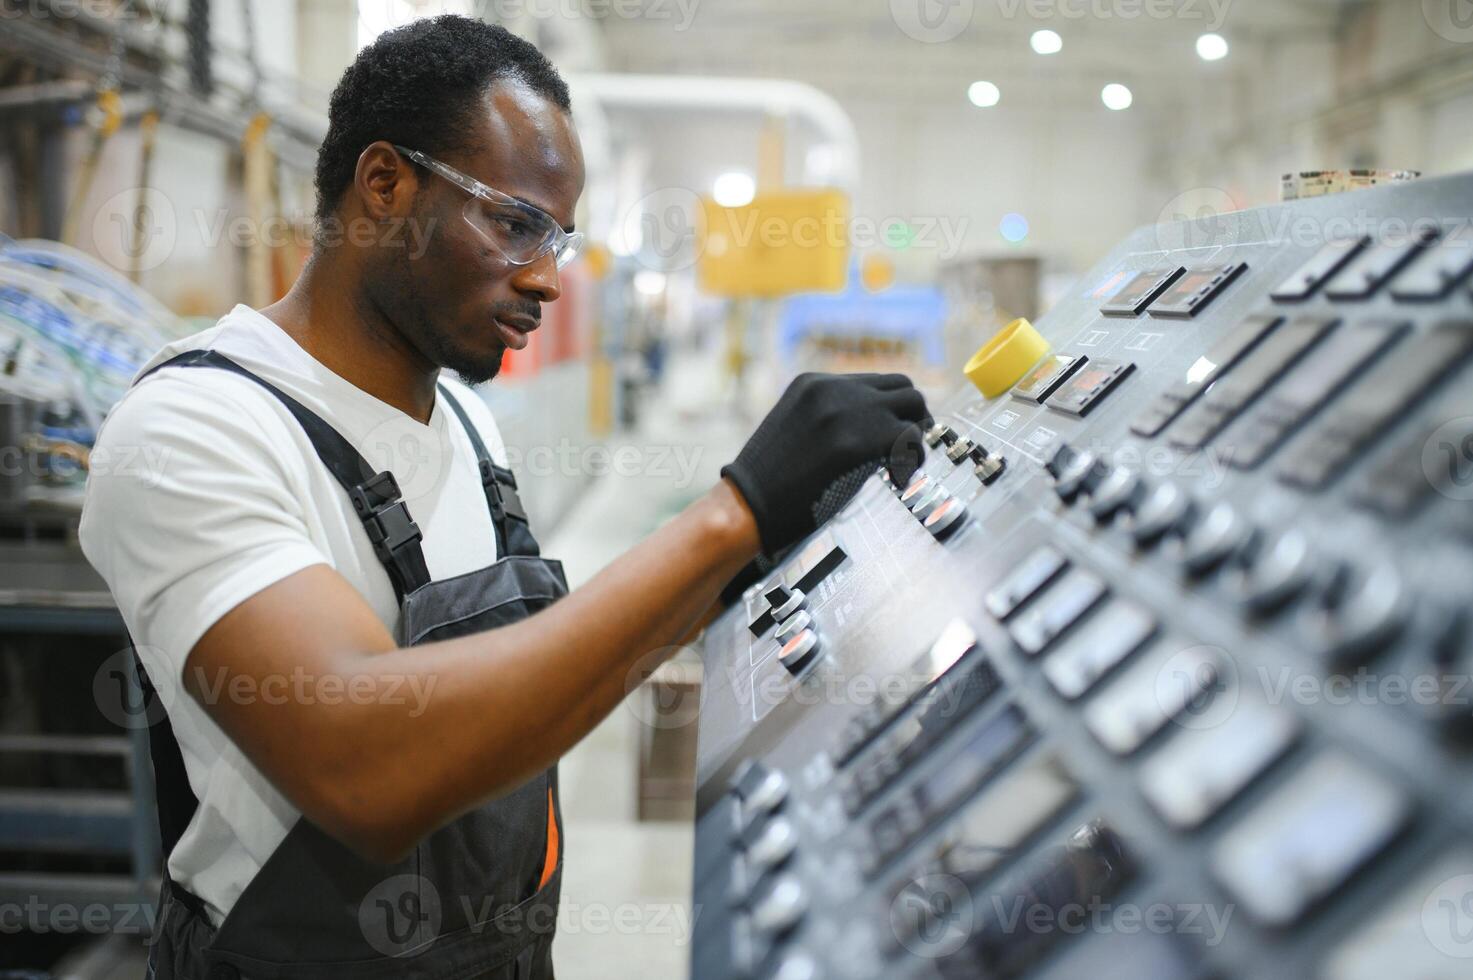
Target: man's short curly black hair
(416, 86)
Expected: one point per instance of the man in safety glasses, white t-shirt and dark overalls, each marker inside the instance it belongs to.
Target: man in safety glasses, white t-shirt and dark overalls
(378, 674)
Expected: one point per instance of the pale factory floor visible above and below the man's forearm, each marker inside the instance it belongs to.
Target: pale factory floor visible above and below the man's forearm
(628, 885)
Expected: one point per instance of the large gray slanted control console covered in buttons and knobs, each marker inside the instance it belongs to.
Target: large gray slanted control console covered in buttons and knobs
(1161, 667)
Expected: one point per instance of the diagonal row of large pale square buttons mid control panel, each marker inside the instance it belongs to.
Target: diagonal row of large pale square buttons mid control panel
(1331, 820)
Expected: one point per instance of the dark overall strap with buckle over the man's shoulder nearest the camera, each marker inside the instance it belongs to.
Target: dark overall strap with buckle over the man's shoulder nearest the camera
(375, 496)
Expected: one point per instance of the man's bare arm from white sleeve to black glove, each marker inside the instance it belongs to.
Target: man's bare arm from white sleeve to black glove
(381, 770)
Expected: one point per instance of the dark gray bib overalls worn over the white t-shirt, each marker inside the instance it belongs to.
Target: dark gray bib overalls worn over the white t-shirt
(479, 897)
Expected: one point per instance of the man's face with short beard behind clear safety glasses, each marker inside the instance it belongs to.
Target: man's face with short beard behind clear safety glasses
(457, 300)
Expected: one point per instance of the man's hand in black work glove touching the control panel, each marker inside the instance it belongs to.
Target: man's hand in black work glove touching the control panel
(823, 430)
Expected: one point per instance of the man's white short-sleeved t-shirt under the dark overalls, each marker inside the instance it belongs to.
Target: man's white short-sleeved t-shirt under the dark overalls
(204, 490)
